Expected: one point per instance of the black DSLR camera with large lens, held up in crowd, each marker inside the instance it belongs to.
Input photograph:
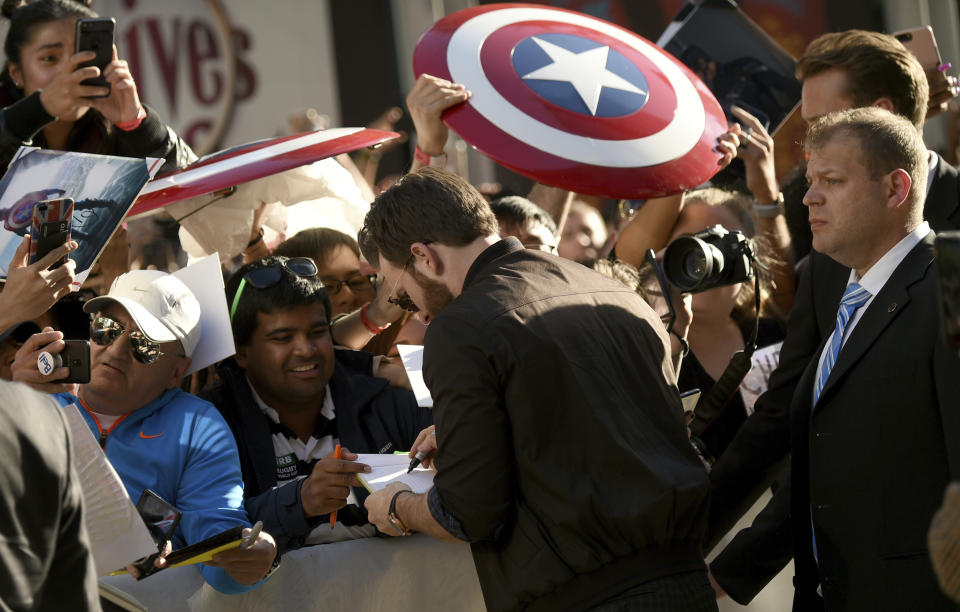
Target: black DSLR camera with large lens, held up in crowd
(710, 258)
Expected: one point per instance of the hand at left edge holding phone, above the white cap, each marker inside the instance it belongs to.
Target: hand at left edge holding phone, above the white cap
(31, 289)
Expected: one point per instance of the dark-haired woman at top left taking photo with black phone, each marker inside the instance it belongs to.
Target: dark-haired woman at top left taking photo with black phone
(45, 103)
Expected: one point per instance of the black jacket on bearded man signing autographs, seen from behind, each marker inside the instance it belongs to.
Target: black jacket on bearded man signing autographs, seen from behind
(563, 455)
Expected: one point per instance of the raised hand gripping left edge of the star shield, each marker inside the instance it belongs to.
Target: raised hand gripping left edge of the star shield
(427, 101)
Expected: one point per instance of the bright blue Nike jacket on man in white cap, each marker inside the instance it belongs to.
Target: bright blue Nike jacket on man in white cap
(181, 448)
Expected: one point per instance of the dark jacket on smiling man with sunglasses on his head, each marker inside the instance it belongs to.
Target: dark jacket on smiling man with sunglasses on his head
(371, 416)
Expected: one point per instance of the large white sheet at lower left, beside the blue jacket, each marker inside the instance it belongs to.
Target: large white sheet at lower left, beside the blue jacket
(117, 533)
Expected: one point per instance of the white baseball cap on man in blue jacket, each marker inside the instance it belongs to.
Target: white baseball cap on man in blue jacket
(160, 304)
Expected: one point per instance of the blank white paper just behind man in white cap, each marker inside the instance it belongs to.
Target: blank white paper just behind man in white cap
(205, 280)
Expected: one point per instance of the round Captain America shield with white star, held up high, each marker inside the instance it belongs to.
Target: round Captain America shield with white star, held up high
(573, 101)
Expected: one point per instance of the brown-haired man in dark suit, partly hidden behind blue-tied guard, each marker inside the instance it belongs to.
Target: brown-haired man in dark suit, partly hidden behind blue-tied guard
(839, 71)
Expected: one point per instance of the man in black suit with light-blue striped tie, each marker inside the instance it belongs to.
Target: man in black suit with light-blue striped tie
(873, 425)
